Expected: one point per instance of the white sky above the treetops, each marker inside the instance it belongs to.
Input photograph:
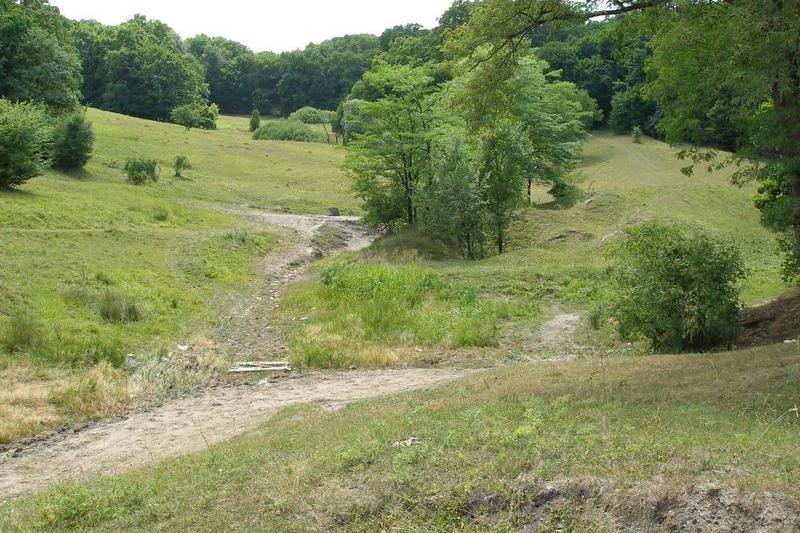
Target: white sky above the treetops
(276, 25)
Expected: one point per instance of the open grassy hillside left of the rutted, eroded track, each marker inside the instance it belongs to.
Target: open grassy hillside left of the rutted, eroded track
(81, 251)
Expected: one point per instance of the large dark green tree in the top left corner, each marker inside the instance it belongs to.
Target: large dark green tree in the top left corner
(38, 61)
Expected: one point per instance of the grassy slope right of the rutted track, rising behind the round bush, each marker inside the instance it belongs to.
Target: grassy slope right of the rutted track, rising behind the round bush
(556, 260)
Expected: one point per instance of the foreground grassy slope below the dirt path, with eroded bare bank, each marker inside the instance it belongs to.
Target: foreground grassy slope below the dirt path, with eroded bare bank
(645, 443)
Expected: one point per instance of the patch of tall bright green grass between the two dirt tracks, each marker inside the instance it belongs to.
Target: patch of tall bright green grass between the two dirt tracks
(376, 314)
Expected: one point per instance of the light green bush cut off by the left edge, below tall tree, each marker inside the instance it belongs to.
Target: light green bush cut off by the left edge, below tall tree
(25, 142)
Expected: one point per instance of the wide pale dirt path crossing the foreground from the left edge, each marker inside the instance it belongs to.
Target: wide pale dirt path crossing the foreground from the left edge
(191, 423)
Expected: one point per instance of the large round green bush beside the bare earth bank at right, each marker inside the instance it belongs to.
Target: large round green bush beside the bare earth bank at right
(677, 288)
